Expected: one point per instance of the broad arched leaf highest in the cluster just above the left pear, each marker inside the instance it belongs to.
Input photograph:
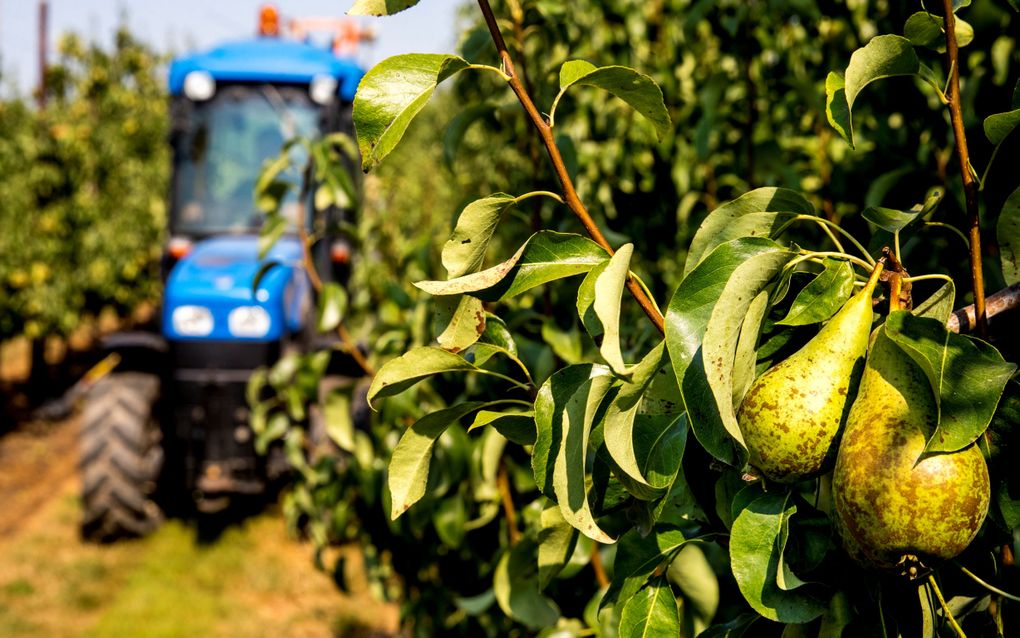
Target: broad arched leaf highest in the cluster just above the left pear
(756, 214)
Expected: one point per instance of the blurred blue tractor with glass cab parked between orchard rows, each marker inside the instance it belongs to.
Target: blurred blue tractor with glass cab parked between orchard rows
(171, 423)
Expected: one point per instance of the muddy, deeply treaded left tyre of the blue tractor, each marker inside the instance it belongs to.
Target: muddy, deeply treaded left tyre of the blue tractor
(122, 458)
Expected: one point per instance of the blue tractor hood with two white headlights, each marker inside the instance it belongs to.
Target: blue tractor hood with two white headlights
(210, 295)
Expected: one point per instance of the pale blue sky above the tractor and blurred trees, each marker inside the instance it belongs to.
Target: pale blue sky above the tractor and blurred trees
(189, 25)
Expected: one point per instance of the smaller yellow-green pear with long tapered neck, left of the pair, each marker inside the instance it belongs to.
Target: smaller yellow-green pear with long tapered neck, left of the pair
(792, 416)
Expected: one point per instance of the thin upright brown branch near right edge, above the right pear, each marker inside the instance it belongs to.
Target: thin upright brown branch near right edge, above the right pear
(971, 185)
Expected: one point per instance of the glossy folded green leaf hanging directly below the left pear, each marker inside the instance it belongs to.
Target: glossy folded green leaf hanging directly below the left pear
(757, 563)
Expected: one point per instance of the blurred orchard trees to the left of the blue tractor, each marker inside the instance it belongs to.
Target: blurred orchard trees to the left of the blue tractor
(84, 184)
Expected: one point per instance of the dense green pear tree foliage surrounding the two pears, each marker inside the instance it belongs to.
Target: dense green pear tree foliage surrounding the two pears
(544, 440)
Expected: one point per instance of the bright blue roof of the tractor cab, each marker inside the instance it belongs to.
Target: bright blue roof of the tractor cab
(270, 61)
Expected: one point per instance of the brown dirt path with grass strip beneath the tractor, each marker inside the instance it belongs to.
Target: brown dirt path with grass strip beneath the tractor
(253, 581)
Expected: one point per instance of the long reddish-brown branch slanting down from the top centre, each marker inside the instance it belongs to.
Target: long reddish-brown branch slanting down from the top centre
(570, 192)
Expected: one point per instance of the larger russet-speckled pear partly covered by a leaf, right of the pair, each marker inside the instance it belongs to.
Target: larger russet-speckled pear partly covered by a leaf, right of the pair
(888, 506)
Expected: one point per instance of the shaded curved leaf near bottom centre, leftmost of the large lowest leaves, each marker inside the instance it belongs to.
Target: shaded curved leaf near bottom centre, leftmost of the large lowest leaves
(518, 592)
